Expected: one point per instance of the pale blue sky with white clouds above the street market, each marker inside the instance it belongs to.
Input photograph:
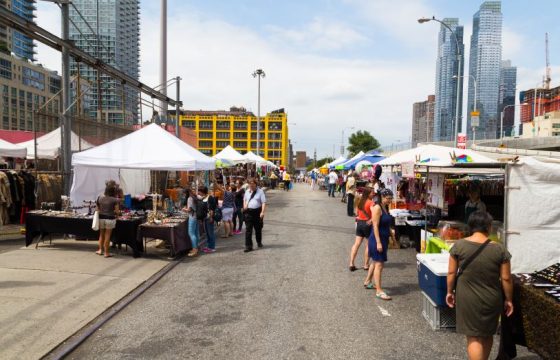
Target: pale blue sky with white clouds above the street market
(330, 63)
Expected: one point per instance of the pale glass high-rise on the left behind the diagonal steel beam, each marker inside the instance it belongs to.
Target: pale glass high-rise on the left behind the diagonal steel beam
(117, 22)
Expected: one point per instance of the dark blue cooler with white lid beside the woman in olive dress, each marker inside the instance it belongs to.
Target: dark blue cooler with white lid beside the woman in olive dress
(432, 276)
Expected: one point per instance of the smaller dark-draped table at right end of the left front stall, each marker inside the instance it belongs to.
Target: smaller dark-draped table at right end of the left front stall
(174, 232)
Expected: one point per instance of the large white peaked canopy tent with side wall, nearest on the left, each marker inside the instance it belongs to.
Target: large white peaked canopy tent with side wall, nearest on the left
(130, 159)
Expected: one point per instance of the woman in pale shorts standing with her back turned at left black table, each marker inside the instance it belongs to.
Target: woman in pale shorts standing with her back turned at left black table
(108, 207)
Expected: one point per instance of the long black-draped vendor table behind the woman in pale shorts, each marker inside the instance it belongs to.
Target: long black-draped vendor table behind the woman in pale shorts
(42, 224)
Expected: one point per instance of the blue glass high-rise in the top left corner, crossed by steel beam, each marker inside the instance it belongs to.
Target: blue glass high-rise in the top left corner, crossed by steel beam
(12, 40)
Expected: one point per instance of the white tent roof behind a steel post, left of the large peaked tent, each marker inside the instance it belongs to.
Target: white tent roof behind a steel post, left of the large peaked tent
(48, 145)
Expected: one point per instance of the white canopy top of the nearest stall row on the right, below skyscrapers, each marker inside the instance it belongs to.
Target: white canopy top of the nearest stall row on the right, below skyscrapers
(434, 155)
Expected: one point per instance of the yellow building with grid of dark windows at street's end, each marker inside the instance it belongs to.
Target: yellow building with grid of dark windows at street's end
(238, 127)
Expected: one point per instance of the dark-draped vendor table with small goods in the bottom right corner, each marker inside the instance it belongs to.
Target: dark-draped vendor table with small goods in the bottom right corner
(535, 323)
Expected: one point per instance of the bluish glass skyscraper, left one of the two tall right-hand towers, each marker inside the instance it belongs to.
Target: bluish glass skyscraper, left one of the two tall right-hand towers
(447, 69)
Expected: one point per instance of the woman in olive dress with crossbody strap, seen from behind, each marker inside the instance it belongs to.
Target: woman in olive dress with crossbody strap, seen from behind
(485, 273)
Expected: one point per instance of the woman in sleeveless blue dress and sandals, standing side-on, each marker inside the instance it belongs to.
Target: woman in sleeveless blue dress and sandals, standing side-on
(379, 241)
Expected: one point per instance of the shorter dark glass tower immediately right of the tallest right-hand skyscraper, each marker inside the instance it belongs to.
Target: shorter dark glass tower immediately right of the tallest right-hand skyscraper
(508, 82)
